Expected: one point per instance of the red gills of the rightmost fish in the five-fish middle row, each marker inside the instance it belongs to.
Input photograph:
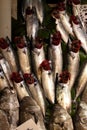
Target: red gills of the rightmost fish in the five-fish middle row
(75, 46)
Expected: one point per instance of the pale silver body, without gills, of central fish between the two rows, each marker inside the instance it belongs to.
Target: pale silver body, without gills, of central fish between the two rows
(48, 85)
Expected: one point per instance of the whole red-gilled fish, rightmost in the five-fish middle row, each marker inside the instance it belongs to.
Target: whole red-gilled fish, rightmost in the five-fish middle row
(73, 60)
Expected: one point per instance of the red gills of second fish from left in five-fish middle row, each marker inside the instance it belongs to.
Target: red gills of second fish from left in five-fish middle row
(20, 43)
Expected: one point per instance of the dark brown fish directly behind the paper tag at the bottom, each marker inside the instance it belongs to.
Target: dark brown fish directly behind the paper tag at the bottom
(30, 110)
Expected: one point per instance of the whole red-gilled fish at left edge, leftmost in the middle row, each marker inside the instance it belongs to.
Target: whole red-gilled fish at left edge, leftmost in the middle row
(8, 53)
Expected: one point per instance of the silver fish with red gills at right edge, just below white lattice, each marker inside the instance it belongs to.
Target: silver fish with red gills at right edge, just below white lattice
(79, 32)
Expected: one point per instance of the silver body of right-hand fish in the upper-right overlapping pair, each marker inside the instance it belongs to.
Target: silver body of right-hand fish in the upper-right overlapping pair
(65, 21)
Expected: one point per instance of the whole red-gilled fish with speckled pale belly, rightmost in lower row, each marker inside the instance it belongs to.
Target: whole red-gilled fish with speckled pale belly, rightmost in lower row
(63, 93)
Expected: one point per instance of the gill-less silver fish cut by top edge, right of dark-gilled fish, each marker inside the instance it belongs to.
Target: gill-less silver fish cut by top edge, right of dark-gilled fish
(39, 9)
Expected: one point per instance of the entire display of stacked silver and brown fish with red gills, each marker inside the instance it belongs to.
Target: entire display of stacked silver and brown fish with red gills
(29, 79)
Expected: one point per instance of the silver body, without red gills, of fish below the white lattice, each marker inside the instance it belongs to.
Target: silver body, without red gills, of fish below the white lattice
(80, 34)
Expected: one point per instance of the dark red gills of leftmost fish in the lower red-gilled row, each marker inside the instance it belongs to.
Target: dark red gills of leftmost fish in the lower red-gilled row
(16, 77)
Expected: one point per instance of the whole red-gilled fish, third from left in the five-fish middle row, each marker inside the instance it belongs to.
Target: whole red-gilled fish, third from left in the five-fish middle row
(38, 55)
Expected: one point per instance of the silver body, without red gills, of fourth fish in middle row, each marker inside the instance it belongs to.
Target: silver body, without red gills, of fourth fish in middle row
(55, 55)
